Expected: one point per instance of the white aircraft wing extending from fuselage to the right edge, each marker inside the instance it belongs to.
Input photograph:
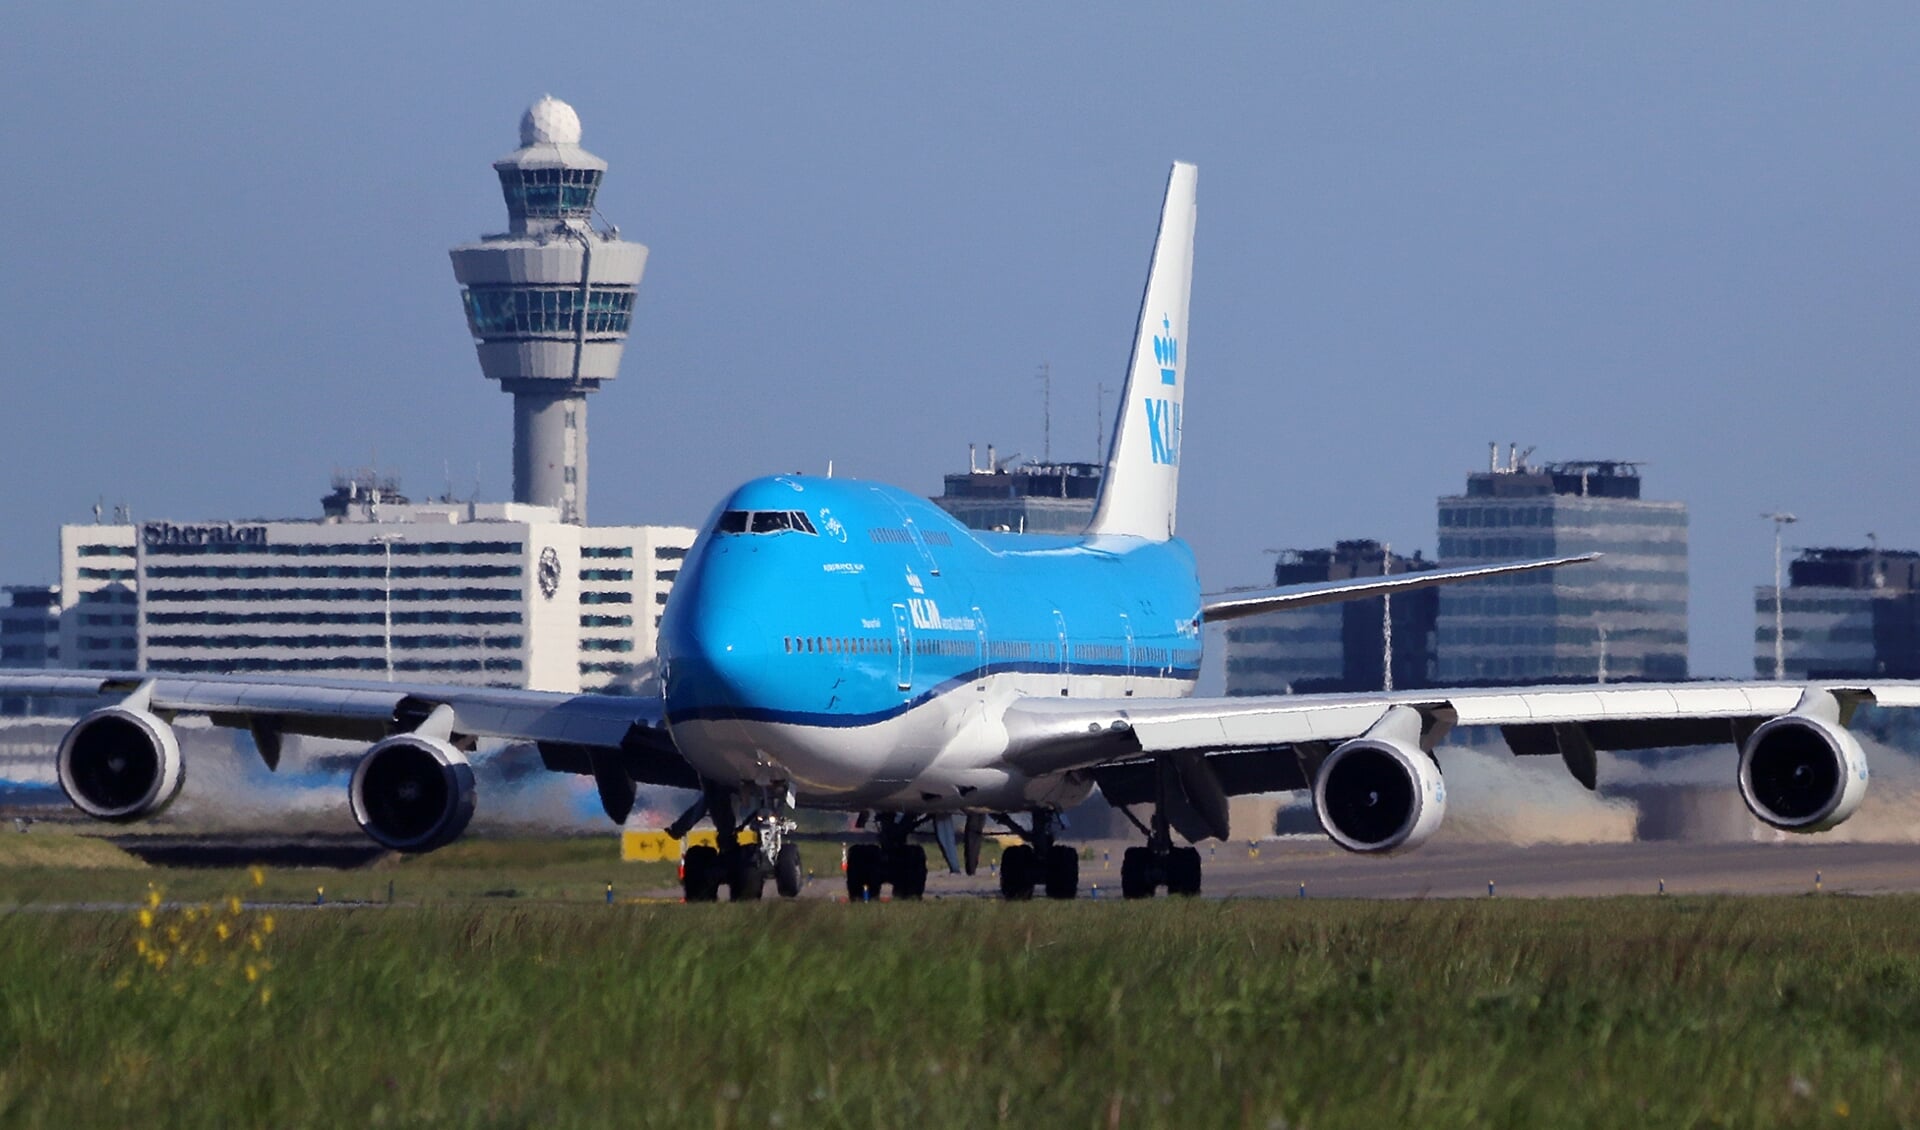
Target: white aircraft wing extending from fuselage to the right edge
(1226, 747)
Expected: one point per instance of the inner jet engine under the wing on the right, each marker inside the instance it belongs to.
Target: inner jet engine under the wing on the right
(1378, 795)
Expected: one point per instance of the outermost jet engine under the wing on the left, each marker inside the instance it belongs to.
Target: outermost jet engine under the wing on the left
(120, 765)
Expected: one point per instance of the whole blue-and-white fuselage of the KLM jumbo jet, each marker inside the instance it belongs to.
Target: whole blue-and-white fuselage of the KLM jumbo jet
(850, 638)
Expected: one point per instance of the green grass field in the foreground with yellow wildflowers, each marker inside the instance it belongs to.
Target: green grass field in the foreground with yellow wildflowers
(558, 1012)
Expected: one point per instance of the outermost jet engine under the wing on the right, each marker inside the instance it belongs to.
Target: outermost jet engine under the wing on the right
(1802, 774)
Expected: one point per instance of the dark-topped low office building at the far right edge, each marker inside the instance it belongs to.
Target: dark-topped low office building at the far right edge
(1844, 613)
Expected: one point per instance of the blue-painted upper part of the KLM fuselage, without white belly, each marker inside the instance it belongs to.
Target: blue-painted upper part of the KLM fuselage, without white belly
(892, 603)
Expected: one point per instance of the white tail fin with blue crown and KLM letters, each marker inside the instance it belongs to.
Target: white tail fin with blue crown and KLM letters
(1143, 465)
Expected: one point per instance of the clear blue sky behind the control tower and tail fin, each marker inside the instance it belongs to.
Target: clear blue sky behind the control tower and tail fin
(1681, 235)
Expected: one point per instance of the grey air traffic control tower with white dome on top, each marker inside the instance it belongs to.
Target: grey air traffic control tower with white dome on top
(550, 304)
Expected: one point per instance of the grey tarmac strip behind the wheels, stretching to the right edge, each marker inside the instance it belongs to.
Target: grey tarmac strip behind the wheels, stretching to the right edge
(1518, 872)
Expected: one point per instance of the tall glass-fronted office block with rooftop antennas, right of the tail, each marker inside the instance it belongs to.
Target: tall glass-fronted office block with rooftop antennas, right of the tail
(1621, 619)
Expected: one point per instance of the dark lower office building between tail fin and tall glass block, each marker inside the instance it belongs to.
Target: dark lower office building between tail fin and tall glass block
(1335, 647)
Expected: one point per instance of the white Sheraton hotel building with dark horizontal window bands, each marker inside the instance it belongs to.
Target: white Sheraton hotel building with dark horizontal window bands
(479, 594)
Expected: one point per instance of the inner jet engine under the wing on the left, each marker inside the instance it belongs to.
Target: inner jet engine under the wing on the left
(414, 793)
